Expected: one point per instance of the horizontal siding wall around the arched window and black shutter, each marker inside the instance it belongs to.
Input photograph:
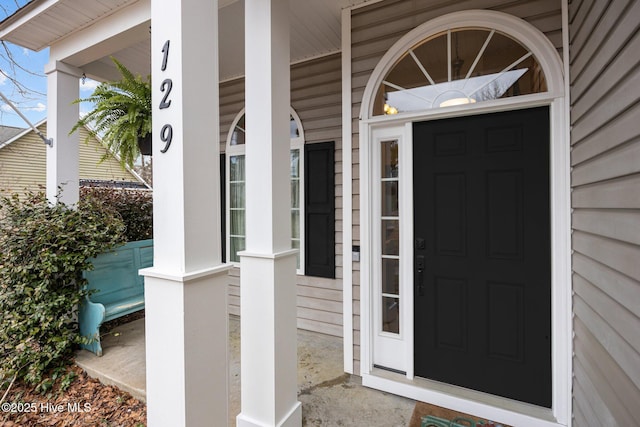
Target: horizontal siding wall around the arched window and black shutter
(316, 98)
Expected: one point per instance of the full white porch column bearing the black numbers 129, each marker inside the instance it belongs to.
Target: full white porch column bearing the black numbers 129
(186, 289)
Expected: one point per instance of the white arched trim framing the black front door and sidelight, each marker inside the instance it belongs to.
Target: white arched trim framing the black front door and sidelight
(453, 397)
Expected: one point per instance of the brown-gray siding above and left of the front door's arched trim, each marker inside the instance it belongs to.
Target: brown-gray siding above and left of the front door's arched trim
(374, 29)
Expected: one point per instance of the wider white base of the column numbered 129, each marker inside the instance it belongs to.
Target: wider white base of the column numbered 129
(186, 342)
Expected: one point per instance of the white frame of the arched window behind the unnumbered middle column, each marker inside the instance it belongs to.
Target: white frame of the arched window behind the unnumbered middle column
(239, 150)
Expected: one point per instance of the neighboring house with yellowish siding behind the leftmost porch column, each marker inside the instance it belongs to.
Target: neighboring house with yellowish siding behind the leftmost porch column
(23, 162)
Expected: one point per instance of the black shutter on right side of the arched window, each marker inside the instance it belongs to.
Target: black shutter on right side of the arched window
(319, 207)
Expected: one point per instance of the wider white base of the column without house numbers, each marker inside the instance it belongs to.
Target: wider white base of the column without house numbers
(268, 340)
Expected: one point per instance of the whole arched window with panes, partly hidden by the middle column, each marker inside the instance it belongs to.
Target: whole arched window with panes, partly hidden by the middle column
(235, 179)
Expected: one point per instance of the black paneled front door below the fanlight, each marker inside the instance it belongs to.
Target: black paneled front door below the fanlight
(483, 253)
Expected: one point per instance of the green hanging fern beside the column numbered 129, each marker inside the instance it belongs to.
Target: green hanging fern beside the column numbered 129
(121, 116)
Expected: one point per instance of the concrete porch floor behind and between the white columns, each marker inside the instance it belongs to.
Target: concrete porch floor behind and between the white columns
(329, 396)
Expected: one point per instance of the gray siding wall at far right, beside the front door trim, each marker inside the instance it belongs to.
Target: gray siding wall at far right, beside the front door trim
(605, 157)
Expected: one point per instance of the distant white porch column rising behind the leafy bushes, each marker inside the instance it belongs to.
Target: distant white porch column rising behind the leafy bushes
(62, 156)
